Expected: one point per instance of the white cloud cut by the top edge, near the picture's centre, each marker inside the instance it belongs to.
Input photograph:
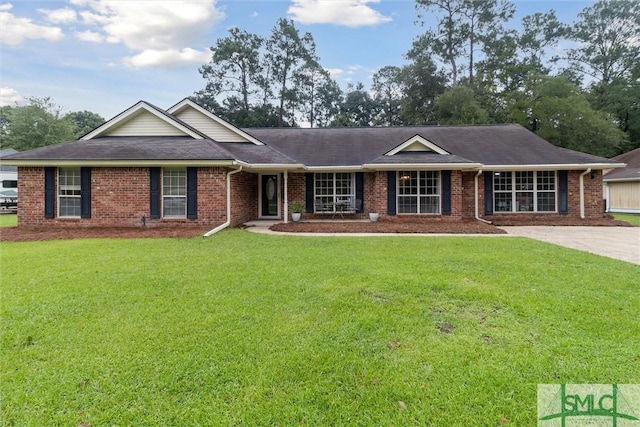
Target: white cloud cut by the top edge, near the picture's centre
(350, 13)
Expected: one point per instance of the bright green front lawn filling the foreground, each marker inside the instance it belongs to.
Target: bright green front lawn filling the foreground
(245, 329)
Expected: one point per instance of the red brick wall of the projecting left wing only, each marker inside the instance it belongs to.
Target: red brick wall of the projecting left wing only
(120, 197)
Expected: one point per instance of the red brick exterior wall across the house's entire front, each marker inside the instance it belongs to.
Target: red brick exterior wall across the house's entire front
(120, 197)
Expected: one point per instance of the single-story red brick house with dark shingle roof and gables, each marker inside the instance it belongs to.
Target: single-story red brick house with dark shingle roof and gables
(148, 166)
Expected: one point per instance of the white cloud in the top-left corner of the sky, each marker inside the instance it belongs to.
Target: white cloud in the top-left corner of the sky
(15, 29)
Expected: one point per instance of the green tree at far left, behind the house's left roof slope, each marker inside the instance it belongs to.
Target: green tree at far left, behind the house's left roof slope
(36, 124)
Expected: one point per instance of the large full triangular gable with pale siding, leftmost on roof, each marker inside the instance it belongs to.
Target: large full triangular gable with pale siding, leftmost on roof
(143, 119)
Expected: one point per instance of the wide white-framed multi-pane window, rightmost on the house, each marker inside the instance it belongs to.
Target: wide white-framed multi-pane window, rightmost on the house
(524, 191)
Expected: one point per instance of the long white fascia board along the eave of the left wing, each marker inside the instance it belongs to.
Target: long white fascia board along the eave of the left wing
(122, 163)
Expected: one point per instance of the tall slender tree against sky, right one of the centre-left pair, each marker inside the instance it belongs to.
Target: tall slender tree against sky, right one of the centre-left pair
(287, 54)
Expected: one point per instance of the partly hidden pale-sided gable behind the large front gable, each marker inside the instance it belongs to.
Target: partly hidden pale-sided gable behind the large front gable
(209, 124)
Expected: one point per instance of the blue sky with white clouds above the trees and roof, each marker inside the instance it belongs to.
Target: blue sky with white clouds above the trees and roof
(104, 56)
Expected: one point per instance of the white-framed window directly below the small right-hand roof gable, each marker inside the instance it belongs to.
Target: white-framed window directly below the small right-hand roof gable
(418, 192)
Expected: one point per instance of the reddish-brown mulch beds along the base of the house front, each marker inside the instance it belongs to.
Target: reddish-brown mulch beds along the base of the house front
(403, 225)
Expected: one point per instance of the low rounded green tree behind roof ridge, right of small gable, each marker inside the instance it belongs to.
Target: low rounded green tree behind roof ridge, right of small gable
(457, 106)
